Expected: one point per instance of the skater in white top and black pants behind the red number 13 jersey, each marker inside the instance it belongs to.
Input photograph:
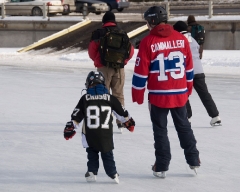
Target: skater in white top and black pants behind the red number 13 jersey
(199, 83)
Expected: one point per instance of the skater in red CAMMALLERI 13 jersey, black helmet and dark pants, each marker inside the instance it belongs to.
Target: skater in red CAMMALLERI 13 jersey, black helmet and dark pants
(164, 63)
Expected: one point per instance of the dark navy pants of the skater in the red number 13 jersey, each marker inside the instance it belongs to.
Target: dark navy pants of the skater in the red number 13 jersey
(185, 135)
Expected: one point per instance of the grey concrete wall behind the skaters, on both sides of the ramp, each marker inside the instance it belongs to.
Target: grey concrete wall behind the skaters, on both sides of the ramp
(220, 35)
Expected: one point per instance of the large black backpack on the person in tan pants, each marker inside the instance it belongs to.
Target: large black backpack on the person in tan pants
(114, 48)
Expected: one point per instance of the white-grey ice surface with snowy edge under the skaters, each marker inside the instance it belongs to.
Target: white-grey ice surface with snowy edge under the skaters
(37, 95)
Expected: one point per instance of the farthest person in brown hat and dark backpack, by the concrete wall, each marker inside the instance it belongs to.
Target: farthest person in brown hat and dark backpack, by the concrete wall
(197, 31)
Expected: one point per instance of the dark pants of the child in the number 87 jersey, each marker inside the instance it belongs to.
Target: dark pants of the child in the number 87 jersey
(107, 158)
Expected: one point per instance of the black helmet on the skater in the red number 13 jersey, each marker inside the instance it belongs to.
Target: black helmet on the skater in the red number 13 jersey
(155, 15)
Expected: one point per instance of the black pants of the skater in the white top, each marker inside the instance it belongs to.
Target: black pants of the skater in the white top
(200, 86)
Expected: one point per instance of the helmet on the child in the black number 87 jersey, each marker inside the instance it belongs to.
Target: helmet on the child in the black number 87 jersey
(95, 77)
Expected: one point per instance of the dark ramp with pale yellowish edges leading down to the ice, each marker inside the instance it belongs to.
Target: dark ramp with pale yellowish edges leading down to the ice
(78, 36)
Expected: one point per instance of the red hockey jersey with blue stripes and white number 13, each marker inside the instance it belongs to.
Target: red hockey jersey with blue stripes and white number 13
(164, 61)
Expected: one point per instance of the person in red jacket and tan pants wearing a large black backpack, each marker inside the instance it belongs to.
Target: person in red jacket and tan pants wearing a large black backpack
(110, 49)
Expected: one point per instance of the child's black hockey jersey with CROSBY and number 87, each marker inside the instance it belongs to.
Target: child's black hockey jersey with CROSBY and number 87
(96, 111)
